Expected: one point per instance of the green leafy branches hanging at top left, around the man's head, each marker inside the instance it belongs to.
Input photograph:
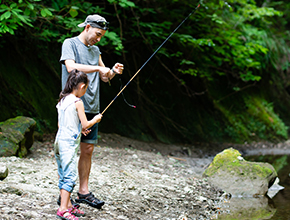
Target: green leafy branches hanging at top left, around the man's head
(55, 20)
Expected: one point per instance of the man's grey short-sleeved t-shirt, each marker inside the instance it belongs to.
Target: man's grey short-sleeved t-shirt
(74, 49)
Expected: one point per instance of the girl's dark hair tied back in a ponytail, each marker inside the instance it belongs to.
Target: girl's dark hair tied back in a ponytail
(74, 78)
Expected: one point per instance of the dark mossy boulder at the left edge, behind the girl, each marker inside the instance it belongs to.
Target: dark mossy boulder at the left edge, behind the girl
(16, 136)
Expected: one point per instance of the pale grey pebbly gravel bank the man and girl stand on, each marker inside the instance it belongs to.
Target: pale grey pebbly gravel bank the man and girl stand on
(137, 180)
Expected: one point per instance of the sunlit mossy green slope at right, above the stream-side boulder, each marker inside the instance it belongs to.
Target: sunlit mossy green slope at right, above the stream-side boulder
(258, 120)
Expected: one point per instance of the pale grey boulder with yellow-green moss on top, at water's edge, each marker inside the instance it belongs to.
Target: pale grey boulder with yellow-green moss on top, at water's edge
(233, 174)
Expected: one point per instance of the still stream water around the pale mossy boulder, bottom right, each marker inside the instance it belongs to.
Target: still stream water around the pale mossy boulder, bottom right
(275, 207)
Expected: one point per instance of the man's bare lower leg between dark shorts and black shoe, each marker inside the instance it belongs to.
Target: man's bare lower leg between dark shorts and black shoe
(84, 166)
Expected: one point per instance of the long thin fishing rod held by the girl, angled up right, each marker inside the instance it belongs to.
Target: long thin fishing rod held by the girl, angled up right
(150, 58)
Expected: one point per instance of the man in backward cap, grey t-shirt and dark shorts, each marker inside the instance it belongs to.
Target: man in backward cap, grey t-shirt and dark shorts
(81, 53)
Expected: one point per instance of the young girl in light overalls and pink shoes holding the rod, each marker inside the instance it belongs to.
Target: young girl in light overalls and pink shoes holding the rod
(72, 122)
